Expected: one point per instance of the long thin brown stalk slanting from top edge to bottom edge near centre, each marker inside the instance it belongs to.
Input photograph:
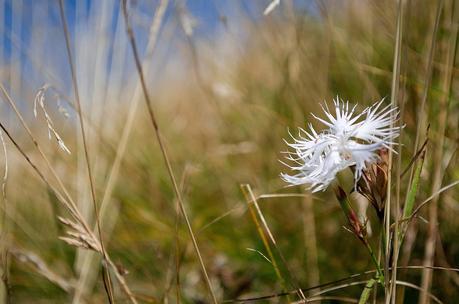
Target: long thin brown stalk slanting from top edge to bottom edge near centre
(163, 148)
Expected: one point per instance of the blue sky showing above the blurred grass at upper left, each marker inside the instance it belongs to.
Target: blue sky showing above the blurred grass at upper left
(31, 32)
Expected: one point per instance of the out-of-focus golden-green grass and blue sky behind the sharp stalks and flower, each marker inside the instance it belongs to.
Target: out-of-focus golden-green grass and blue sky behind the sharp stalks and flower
(227, 84)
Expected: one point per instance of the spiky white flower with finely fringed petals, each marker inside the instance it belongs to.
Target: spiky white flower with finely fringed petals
(350, 140)
